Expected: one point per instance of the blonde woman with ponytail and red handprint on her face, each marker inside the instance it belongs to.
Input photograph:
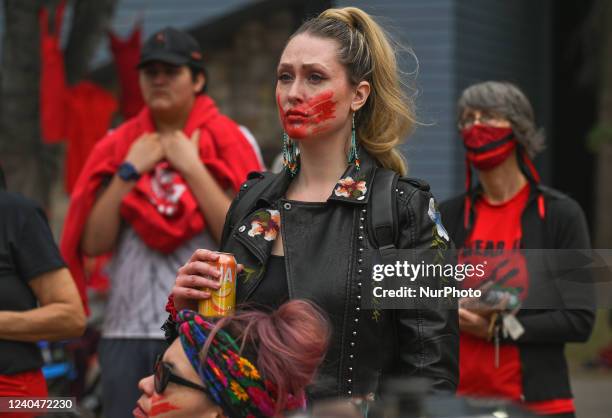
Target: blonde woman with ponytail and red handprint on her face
(304, 233)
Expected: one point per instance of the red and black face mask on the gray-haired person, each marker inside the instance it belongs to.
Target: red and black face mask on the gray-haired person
(488, 146)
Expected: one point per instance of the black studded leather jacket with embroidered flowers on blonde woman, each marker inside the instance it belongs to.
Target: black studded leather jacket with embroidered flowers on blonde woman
(326, 248)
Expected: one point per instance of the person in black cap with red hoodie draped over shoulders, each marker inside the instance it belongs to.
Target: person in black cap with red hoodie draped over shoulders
(152, 191)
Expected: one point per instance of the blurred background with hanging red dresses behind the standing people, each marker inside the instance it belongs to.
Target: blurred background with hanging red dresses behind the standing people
(558, 52)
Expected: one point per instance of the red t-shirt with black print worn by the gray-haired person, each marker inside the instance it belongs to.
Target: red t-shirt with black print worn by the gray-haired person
(496, 233)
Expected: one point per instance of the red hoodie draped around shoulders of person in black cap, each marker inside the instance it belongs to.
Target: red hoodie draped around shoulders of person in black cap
(223, 149)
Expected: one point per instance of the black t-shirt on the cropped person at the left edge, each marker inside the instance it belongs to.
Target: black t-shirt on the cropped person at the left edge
(27, 250)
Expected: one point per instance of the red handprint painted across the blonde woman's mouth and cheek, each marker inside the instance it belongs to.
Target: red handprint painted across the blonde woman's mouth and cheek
(307, 118)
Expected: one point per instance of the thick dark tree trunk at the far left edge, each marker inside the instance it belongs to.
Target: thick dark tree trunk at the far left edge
(29, 166)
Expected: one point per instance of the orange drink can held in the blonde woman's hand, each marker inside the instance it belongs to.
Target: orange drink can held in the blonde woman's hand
(222, 302)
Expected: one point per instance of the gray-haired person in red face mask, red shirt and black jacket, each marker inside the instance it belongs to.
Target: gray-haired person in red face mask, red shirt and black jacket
(508, 211)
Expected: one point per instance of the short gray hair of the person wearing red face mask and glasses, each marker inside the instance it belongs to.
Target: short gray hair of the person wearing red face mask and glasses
(510, 102)
